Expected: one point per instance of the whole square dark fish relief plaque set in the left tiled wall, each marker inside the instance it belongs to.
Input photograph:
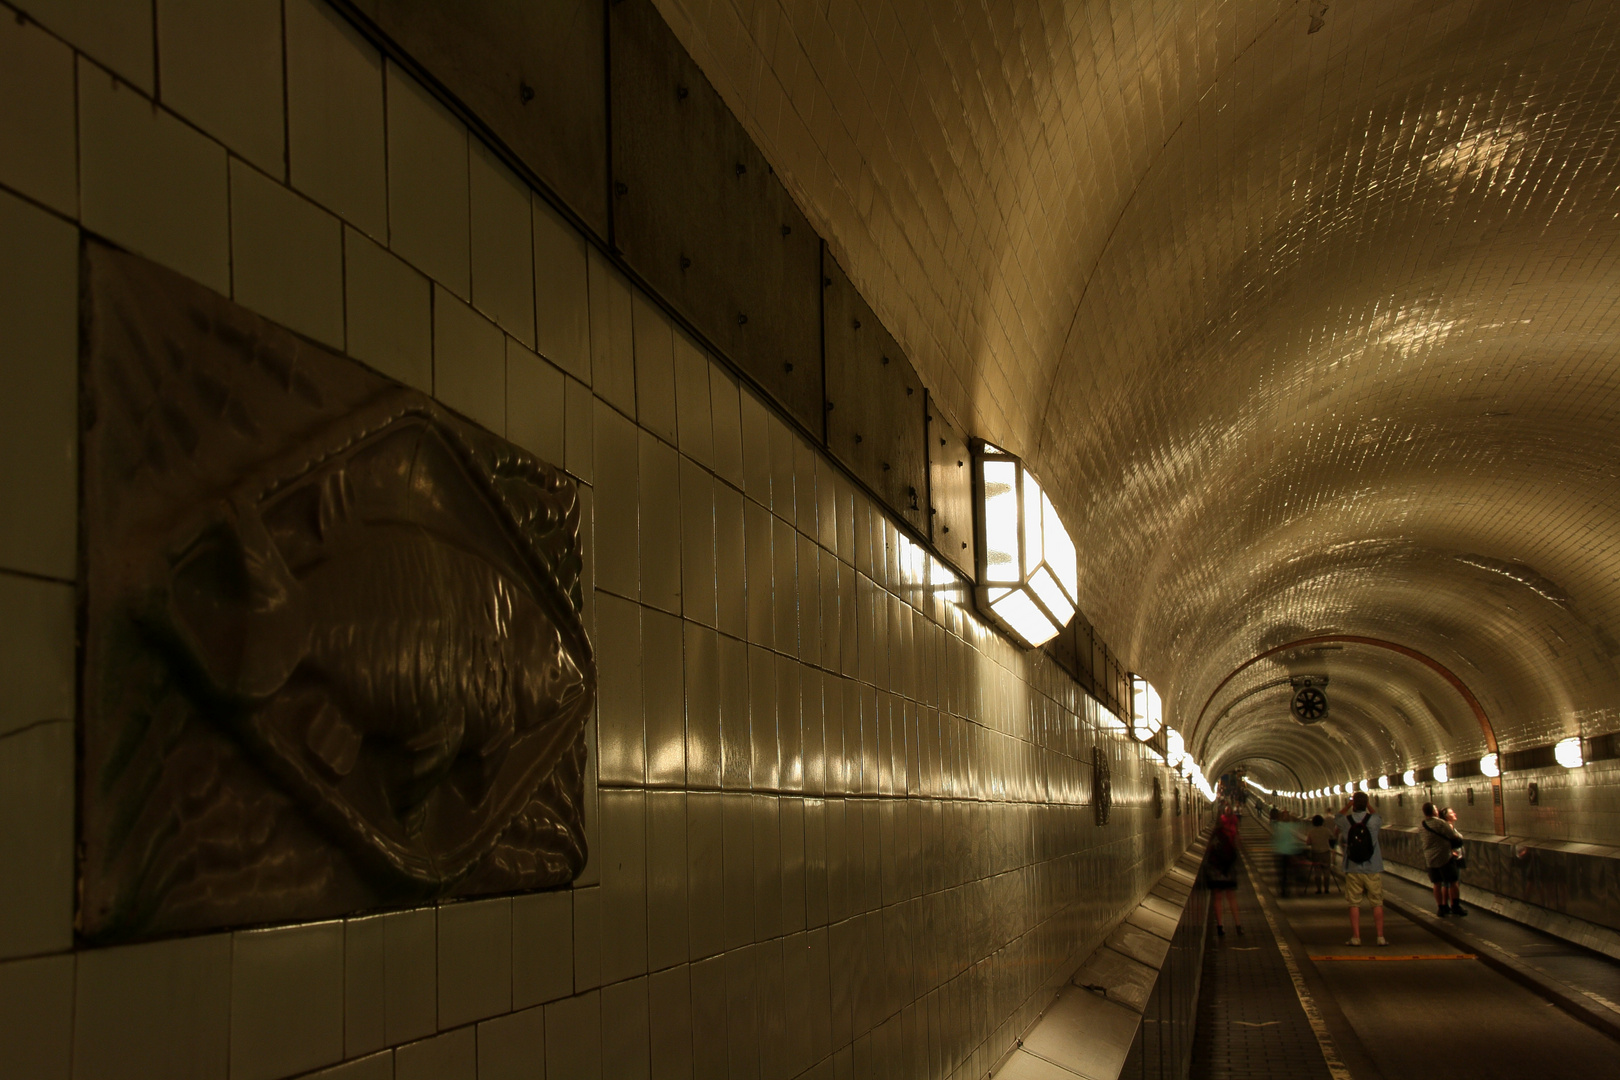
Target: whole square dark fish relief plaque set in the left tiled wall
(333, 640)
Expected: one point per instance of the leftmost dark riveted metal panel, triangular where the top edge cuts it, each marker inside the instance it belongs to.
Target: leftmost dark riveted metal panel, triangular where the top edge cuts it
(534, 74)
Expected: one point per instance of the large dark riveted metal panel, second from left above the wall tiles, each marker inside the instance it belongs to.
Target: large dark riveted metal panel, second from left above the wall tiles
(702, 218)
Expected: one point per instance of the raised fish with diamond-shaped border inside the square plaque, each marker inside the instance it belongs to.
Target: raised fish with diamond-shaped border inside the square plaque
(390, 621)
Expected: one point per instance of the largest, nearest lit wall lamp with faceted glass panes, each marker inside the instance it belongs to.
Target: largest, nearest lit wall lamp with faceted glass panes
(1028, 568)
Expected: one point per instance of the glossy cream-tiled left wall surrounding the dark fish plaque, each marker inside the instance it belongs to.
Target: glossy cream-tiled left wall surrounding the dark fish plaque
(838, 828)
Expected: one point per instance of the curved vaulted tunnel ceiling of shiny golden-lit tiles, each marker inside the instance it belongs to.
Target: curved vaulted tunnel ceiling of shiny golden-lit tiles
(1308, 333)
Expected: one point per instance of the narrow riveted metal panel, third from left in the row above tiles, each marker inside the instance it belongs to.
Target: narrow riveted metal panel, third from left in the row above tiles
(876, 420)
